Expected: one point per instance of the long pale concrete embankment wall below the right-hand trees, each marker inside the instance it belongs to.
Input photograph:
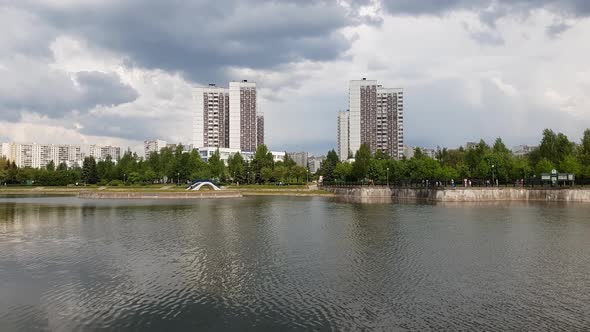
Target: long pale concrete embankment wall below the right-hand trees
(466, 195)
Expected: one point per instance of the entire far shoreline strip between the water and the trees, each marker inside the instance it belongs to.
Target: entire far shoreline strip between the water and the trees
(363, 194)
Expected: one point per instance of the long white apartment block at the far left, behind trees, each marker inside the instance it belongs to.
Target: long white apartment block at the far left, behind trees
(39, 155)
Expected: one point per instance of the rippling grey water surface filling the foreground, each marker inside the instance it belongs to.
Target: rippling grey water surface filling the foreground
(280, 263)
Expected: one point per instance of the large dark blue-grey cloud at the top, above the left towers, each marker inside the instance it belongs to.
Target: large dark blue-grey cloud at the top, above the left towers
(201, 39)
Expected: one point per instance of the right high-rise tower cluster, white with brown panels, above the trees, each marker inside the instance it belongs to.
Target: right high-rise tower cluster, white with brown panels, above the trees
(375, 118)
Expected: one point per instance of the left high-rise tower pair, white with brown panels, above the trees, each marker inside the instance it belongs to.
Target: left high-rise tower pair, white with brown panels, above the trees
(228, 118)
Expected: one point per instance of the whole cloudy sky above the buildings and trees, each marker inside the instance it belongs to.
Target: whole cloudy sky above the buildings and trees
(123, 71)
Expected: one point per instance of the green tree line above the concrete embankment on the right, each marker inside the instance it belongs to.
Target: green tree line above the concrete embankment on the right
(481, 162)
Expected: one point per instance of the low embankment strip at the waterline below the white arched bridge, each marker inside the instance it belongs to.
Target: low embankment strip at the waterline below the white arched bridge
(159, 195)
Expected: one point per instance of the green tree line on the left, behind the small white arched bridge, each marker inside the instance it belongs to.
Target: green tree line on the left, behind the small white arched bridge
(169, 166)
